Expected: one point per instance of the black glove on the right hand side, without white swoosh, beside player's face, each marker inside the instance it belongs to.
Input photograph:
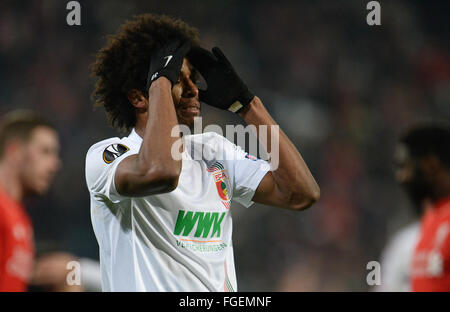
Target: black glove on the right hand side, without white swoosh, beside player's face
(225, 89)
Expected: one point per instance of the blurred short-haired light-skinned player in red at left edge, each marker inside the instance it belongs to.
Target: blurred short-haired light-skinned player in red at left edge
(29, 159)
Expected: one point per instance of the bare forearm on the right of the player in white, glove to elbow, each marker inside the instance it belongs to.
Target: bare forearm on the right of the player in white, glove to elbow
(292, 176)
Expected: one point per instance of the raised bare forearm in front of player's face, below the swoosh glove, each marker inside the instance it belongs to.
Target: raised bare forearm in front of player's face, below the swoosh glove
(157, 140)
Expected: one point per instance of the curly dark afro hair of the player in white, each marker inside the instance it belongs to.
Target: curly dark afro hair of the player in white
(122, 65)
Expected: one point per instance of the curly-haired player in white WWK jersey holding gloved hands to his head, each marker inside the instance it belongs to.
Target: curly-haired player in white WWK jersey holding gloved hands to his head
(160, 215)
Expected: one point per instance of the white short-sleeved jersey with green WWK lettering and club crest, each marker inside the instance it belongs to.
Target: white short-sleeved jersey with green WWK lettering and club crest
(177, 241)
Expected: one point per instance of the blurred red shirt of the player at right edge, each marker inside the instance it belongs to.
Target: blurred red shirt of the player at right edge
(431, 260)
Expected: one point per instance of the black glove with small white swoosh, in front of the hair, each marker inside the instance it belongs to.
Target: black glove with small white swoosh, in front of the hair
(166, 61)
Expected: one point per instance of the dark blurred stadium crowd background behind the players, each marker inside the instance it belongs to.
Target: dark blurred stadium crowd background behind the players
(342, 90)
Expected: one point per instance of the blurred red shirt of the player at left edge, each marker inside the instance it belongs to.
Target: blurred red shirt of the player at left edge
(16, 245)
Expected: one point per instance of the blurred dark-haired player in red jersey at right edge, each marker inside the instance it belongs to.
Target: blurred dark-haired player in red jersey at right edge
(423, 168)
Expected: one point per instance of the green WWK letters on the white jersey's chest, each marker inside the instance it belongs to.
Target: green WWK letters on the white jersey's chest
(204, 220)
